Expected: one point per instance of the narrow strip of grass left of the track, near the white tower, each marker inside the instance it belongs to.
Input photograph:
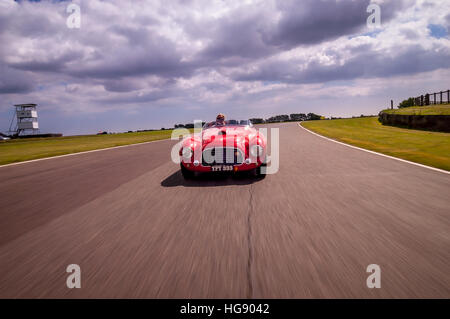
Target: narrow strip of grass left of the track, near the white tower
(19, 150)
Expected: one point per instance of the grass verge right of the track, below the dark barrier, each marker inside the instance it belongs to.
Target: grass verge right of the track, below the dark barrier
(424, 147)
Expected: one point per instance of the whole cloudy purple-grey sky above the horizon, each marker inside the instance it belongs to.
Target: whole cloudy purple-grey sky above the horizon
(150, 64)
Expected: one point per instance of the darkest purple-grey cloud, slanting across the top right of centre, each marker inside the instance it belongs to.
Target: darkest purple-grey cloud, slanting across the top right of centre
(241, 36)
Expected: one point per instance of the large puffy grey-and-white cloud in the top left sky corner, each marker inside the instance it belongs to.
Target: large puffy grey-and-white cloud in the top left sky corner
(116, 50)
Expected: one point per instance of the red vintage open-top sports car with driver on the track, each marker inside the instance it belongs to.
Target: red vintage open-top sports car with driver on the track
(232, 146)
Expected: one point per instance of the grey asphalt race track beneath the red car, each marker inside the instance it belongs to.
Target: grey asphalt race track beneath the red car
(137, 229)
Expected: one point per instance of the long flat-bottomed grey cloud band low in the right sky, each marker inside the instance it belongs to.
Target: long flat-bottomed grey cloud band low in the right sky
(370, 64)
